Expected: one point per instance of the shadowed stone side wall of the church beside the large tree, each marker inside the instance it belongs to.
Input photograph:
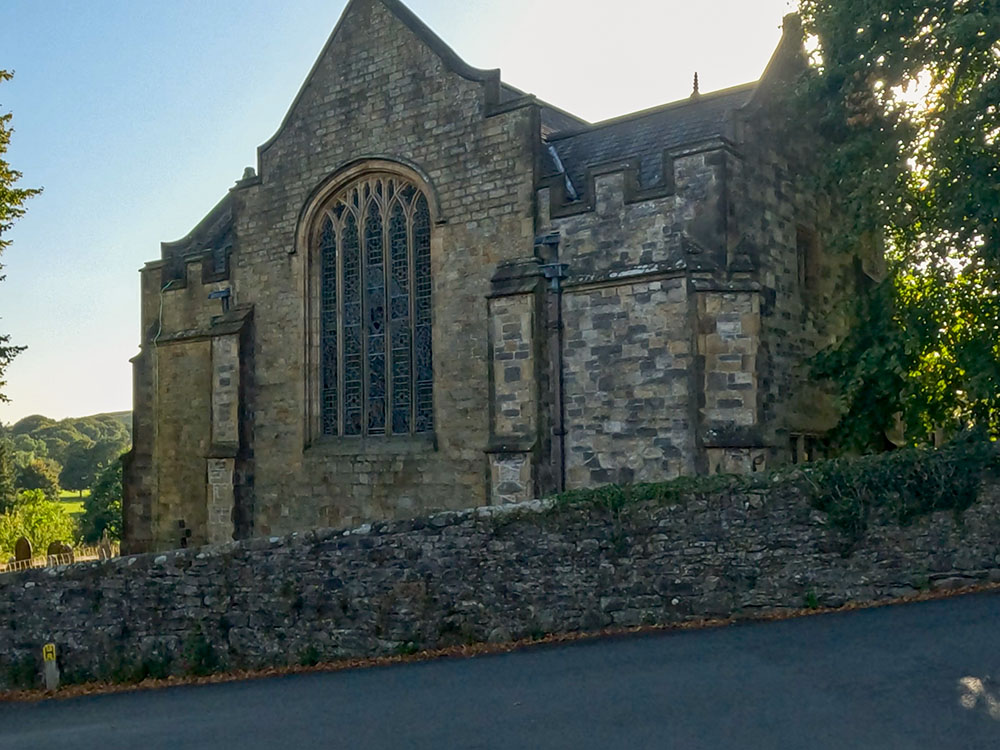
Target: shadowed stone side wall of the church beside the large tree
(805, 283)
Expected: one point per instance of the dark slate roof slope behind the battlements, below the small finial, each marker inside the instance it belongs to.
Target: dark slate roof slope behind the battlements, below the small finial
(644, 135)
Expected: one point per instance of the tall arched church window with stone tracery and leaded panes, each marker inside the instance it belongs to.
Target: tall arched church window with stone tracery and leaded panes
(374, 260)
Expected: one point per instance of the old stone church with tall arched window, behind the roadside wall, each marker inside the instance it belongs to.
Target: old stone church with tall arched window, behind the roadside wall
(436, 291)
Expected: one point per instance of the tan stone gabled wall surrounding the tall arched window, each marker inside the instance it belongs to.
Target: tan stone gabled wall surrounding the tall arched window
(381, 92)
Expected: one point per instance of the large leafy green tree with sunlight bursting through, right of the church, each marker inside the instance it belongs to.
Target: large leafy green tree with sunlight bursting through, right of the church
(905, 94)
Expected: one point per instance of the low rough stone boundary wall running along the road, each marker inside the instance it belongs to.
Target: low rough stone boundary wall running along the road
(490, 573)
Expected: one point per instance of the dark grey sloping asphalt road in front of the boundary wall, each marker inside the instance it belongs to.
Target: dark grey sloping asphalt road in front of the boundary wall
(915, 676)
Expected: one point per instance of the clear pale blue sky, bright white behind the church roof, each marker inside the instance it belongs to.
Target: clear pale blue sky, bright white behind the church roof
(137, 115)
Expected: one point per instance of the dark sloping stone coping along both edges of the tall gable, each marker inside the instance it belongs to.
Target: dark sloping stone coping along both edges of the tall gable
(490, 79)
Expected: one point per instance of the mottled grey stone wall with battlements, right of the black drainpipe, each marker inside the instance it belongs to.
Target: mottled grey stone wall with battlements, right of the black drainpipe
(632, 385)
